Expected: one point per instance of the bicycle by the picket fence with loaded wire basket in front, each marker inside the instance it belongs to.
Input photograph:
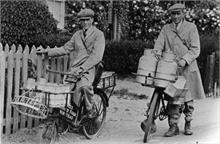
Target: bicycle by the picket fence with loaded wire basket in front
(39, 100)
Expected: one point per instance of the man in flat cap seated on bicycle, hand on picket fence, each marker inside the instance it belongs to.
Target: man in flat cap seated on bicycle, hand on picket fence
(86, 48)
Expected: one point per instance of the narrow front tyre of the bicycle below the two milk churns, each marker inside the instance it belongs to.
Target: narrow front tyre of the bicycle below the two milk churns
(150, 118)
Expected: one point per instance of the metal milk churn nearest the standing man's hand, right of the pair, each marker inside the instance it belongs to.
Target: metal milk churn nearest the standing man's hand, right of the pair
(166, 69)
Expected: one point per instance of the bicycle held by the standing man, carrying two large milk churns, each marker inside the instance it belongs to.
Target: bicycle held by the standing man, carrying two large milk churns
(157, 107)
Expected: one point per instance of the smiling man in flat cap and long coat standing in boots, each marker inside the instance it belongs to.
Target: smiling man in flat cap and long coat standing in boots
(182, 38)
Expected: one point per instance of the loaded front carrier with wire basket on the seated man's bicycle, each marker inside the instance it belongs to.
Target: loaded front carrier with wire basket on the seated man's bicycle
(40, 96)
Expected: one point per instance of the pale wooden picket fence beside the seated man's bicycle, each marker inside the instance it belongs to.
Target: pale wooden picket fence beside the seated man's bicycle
(14, 75)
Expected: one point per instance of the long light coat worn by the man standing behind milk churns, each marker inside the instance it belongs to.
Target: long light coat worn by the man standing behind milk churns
(168, 40)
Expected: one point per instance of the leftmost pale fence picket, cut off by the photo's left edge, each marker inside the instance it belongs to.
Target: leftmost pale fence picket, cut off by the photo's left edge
(2, 88)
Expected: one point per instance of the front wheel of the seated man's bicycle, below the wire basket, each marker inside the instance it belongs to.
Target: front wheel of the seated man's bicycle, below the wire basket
(48, 134)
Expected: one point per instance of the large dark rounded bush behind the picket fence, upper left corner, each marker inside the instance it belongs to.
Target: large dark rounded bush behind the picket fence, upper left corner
(22, 21)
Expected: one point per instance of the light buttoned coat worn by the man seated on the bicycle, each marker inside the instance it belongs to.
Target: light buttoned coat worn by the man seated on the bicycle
(92, 47)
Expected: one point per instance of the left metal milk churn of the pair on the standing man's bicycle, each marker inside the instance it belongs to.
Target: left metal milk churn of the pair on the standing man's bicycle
(147, 66)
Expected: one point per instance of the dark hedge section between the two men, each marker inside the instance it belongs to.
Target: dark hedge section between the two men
(123, 56)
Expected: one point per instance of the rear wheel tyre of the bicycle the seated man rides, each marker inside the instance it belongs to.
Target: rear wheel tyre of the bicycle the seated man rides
(93, 126)
